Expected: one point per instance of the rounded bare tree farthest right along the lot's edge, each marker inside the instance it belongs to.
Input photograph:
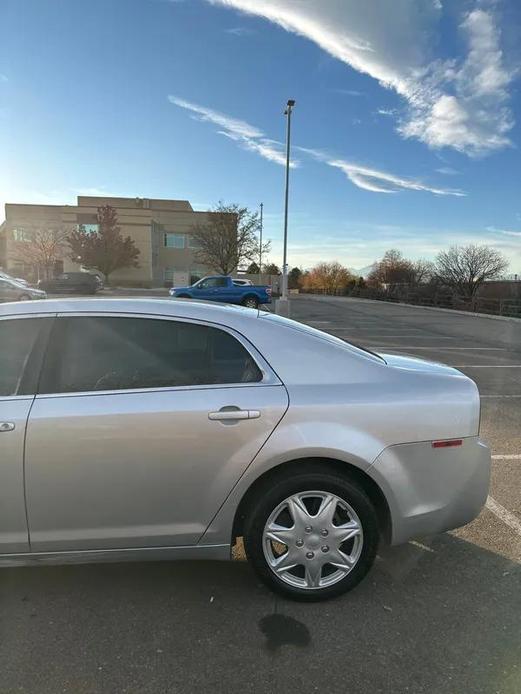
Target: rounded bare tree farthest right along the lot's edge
(465, 268)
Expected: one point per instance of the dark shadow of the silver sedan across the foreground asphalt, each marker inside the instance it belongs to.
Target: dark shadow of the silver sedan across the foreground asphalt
(441, 616)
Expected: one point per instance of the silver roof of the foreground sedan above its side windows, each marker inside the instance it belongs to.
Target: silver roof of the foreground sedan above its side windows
(225, 314)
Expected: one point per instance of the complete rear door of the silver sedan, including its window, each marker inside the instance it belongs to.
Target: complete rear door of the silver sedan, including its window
(140, 430)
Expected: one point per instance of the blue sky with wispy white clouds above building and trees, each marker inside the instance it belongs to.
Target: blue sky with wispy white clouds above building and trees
(405, 131)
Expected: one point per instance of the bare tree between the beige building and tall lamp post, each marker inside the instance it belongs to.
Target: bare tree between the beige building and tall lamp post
(229, 238)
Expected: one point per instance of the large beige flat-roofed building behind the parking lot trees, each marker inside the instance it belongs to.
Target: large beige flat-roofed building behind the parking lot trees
(159, 228)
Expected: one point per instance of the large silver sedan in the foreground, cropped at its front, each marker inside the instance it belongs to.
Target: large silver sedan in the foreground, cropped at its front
(198, 424)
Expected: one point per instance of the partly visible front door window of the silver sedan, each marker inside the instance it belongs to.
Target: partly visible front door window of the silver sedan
(17, 338)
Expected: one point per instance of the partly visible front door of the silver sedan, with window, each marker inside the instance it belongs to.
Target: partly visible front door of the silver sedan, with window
(20, 351)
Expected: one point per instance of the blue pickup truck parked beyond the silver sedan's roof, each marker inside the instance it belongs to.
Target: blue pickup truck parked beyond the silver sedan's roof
(223, 288)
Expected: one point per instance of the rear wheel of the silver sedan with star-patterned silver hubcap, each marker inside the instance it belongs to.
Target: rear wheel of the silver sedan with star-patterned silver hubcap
(306, 485)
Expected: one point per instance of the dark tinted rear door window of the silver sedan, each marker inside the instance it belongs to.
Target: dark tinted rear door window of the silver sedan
(108, 353)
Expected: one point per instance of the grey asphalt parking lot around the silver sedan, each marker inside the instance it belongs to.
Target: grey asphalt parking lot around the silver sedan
(438, 615)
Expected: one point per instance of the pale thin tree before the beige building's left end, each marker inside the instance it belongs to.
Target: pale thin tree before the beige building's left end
(42, 249)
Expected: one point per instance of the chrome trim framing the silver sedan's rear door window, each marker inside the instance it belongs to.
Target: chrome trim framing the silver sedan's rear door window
(269, 377)
